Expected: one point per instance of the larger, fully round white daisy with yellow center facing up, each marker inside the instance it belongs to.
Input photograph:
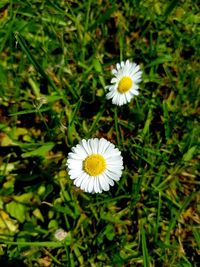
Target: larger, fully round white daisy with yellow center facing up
(94, 165)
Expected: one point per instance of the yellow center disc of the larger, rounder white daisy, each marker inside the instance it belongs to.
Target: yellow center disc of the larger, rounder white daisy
(94, 164)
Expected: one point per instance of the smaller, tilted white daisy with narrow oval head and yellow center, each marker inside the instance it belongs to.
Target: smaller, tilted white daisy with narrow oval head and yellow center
(124, 86)
